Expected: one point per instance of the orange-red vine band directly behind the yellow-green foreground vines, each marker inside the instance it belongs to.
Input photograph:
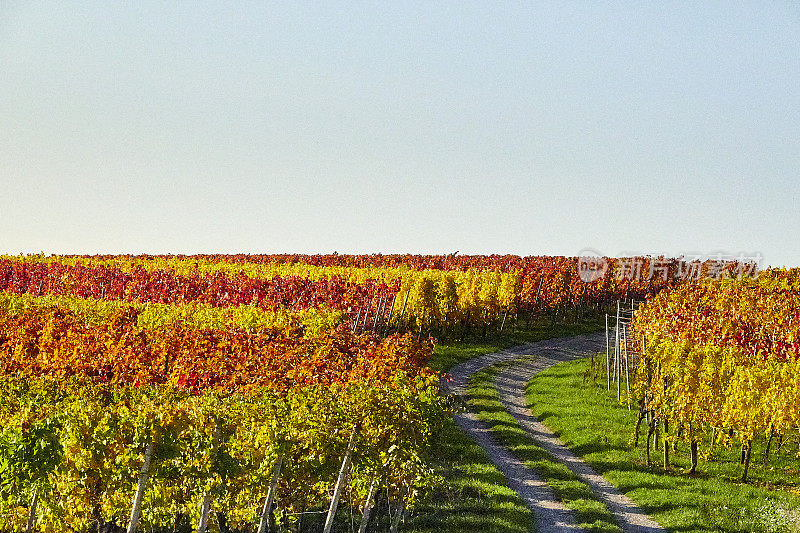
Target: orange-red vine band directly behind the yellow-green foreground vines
(41, 341)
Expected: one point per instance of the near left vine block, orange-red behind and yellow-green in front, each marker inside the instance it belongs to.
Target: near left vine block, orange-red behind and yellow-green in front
(210, 410)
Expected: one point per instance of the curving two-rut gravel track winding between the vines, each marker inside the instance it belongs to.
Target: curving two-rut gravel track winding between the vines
(551, 515)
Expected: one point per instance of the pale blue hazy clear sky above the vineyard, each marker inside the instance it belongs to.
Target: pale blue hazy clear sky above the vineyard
(533, 128)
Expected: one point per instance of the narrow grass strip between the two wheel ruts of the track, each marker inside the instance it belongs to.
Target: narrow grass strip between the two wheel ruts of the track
(592, 515)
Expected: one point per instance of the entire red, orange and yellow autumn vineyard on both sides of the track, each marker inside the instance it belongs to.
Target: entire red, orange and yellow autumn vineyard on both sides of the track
(155, 391)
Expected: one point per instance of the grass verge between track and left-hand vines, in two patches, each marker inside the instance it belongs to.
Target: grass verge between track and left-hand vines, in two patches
(475, 496)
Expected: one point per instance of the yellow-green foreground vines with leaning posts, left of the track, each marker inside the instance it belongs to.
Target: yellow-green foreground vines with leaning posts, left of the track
(76, 448)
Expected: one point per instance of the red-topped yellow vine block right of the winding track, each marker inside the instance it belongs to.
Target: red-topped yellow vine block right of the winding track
(721, 362)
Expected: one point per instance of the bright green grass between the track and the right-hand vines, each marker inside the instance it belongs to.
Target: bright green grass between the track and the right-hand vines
(594, 426)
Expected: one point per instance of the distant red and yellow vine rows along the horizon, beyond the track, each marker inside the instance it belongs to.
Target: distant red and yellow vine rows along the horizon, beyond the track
(468, 290)
